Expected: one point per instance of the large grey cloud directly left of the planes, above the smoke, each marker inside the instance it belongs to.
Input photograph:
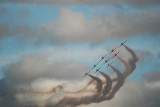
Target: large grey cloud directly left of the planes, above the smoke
(35, 66)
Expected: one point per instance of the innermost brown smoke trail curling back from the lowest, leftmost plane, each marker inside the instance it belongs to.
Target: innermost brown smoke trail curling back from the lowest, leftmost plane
(74, 101)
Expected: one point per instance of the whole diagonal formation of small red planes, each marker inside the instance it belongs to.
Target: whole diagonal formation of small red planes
(106, 60)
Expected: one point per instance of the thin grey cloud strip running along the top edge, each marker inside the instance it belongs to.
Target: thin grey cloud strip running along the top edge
(89, 2)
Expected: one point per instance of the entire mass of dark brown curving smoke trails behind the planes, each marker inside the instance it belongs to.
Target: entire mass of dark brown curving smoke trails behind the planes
(108, 92)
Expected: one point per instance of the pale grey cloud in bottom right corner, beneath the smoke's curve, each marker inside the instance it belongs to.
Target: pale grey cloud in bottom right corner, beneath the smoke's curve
(134, 93)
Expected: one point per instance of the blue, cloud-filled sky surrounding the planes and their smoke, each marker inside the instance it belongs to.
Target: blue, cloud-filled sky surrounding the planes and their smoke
(52, 41)
